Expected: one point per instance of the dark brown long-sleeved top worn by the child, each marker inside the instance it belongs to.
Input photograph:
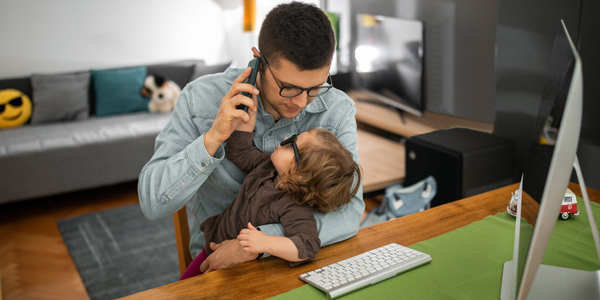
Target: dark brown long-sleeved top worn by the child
(260, 203)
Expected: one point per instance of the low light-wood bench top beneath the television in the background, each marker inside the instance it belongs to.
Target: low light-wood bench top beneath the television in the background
(389, 120)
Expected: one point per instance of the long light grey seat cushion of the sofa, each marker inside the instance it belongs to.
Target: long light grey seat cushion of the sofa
(43, 137)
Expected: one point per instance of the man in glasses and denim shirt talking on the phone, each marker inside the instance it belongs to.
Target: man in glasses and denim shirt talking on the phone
(189, 164)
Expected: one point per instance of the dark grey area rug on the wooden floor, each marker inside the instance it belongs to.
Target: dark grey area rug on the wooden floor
(118, 252)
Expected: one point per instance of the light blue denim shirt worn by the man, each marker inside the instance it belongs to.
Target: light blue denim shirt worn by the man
(181, 170)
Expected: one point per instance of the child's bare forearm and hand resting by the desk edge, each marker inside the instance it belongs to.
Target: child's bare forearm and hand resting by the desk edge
(254, 241)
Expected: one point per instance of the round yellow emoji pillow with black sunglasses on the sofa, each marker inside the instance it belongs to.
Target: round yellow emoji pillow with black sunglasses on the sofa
(15, 108)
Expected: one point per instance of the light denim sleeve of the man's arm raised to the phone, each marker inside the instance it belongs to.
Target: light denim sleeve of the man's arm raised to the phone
(179, 166)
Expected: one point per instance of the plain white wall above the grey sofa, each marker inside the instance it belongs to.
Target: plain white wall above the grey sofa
(38, 36)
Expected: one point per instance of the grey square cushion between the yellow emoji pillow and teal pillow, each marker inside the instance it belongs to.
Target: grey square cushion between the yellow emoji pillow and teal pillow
(59, 98)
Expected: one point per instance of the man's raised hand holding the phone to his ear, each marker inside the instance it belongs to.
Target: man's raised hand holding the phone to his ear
(229, 117)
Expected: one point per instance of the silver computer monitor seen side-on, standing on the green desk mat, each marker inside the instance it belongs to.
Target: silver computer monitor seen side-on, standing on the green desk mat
(545, 179)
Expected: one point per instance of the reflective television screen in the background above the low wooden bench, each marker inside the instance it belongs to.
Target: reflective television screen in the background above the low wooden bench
(389, 61)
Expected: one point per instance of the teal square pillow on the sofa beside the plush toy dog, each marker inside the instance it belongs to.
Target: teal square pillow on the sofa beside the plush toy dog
(119, 91)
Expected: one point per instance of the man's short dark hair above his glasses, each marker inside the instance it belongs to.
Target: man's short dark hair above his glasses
(300, 33)
